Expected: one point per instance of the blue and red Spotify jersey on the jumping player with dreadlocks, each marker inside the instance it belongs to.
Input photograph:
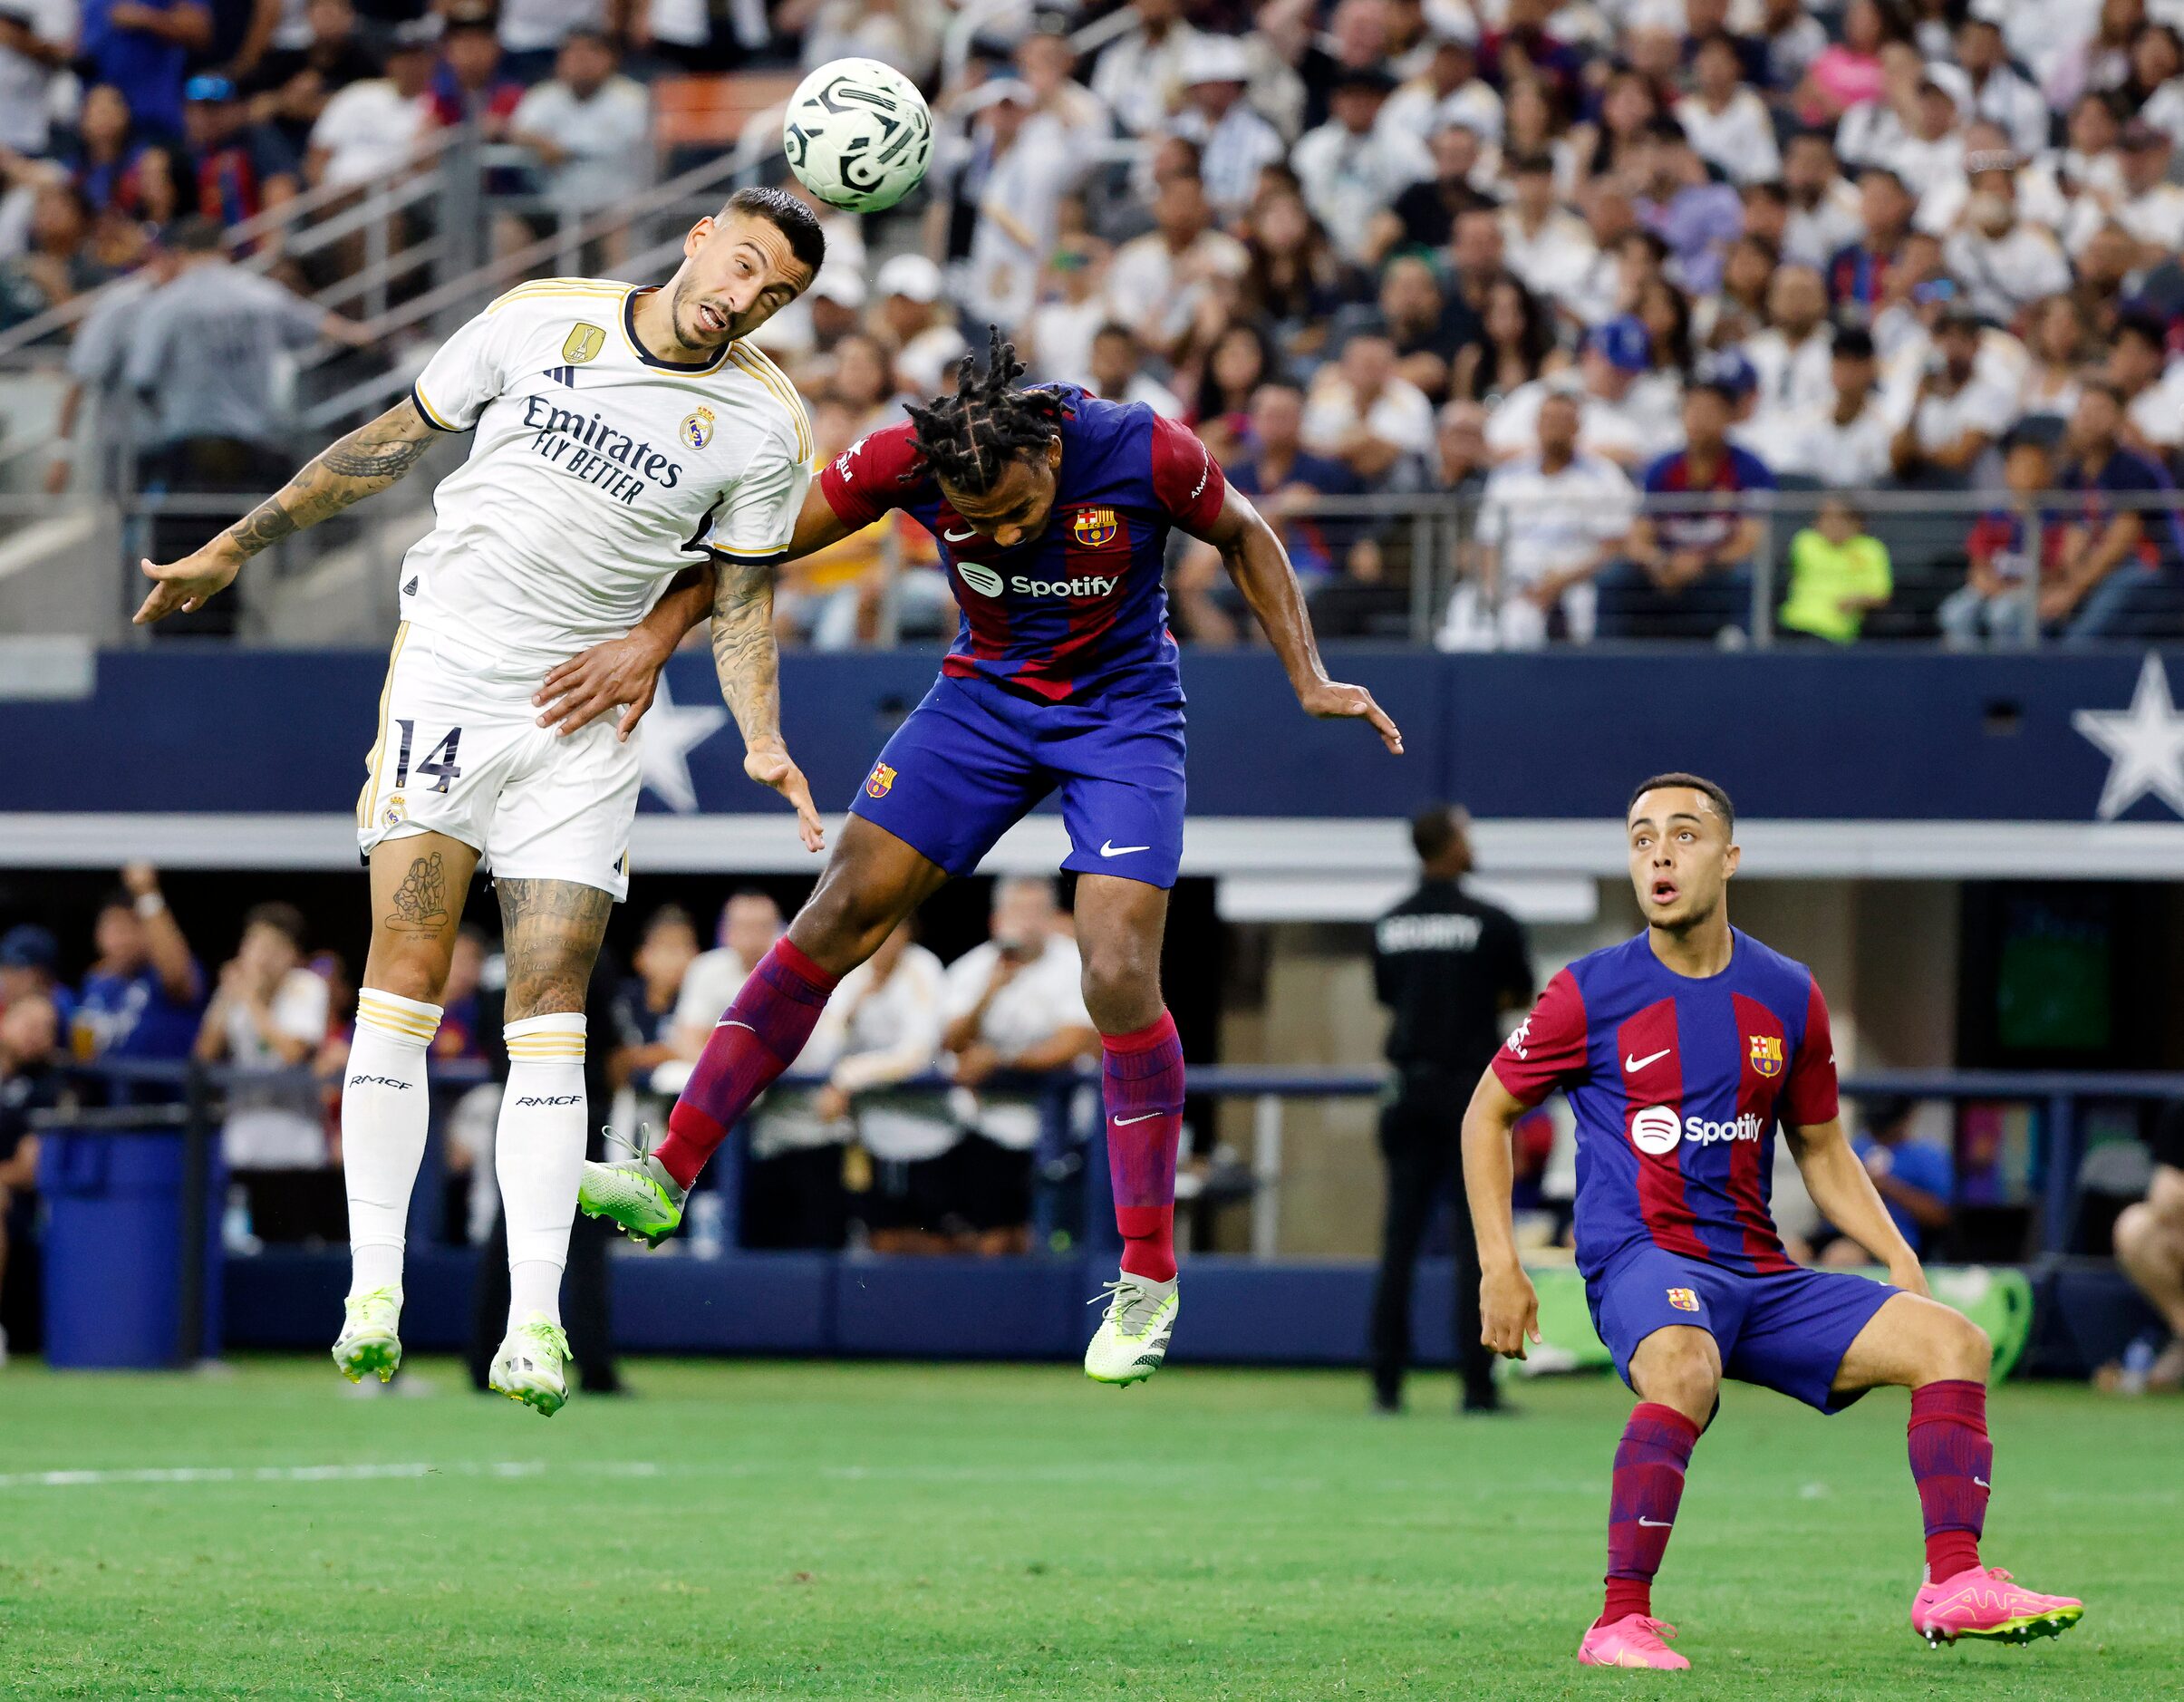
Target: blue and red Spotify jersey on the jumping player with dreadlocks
(1082, 606)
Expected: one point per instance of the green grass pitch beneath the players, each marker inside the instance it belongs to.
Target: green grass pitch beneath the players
(995, 1530)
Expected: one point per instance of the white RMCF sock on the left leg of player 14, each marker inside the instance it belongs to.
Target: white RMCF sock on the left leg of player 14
(383, 1124)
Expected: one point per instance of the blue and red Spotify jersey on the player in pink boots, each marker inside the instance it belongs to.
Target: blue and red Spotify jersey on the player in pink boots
(1678, 1087)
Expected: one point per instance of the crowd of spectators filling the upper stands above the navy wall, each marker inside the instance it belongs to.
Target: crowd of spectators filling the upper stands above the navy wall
(1606, 272)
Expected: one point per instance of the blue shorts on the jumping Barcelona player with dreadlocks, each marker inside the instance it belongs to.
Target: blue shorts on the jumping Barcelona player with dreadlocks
(975, 759)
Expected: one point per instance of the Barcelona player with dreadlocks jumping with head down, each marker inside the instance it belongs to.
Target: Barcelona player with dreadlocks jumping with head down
(1052, 510)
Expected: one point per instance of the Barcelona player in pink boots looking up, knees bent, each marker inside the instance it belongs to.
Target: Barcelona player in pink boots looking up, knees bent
(1681, 1052)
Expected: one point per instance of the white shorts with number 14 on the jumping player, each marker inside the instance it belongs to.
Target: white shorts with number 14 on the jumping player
(460, 753)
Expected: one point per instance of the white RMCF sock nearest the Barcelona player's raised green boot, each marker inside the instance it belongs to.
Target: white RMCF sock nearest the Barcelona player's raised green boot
(538, 1157)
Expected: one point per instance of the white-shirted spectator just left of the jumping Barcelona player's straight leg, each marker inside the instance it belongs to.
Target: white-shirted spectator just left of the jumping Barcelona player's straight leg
(1014, 1004)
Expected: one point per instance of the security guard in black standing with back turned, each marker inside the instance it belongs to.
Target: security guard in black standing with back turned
(1449, 967)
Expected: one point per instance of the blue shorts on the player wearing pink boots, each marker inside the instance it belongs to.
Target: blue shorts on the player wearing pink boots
(1788, 1332)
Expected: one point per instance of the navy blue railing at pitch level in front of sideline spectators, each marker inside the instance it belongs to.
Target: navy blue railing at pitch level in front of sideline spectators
(1073, 1207)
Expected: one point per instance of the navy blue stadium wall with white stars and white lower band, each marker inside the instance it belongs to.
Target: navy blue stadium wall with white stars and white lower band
(1866, 761)
